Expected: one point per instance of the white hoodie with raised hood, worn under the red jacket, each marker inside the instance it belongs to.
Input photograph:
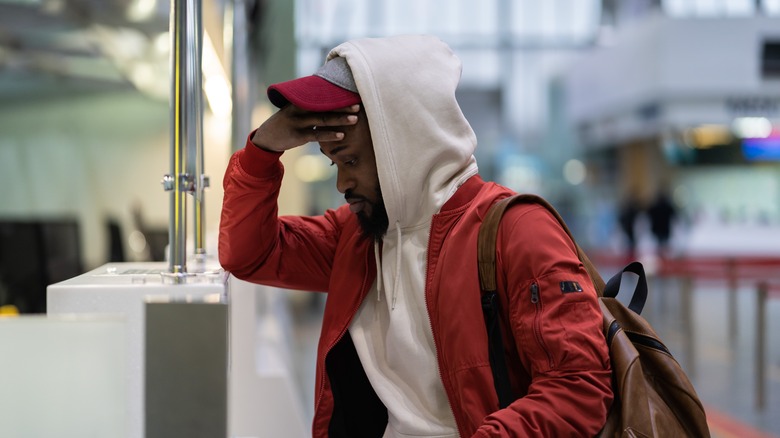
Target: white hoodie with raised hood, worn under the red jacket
(424, 151)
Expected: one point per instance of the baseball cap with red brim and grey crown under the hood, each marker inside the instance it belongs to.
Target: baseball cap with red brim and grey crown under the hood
(330, 88)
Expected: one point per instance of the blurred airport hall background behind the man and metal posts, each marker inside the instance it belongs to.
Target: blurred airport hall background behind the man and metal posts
(653, 126)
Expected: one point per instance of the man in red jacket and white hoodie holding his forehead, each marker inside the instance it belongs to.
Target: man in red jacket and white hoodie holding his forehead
(403, 348)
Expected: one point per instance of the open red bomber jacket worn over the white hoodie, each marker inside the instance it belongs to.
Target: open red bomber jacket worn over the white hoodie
(557, 354)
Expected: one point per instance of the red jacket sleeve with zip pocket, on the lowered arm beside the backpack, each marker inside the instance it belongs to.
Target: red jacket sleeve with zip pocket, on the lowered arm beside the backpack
(556, 323)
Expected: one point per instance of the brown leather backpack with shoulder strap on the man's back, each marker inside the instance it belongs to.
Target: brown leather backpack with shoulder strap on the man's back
(653, 396)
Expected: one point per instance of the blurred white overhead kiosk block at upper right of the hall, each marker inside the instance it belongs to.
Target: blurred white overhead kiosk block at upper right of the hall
(667, 76)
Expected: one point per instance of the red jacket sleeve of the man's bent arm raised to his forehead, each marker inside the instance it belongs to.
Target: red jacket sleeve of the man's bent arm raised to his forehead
(256, 245)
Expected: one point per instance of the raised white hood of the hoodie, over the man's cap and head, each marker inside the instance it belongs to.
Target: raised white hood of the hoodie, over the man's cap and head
(422, 142)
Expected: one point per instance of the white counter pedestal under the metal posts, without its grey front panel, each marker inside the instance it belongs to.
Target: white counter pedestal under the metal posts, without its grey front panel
(262, 396)
